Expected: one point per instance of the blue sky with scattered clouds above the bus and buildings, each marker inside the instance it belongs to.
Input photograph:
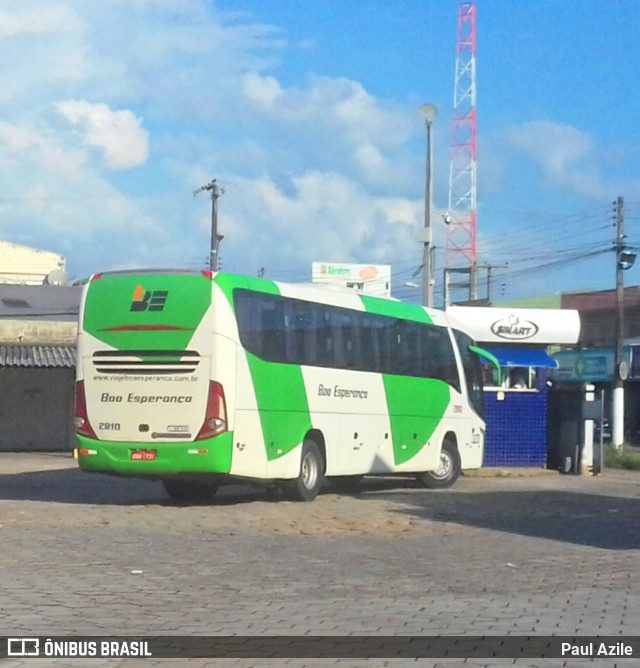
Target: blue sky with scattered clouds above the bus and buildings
(306, 113)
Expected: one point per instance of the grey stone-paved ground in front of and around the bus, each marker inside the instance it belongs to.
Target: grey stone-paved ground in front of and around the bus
(540, 555)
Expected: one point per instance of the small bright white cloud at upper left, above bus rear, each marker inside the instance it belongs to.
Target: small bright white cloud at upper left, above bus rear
(118, 133)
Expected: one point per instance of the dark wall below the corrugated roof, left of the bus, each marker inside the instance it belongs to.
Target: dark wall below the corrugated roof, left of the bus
(37, 409)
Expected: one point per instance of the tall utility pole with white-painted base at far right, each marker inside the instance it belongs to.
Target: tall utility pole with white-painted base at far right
(620, 370)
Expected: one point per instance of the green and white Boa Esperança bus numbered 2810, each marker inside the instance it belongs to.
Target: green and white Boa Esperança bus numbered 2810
(197, 379)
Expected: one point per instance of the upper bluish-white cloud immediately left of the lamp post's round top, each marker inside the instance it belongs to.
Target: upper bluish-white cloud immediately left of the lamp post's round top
(333, 125)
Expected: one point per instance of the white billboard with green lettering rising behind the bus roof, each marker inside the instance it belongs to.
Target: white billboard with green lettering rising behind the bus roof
(369, 279)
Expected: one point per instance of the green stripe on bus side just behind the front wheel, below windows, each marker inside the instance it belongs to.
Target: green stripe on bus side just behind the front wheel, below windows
(416, 407)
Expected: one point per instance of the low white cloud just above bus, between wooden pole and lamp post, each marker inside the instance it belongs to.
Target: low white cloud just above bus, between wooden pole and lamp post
(324, 216)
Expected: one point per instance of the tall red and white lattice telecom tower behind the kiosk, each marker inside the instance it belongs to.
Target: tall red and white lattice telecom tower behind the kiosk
(460, 255)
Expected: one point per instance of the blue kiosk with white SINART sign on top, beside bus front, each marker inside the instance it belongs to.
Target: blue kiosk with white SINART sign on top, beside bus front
(516, 408)
